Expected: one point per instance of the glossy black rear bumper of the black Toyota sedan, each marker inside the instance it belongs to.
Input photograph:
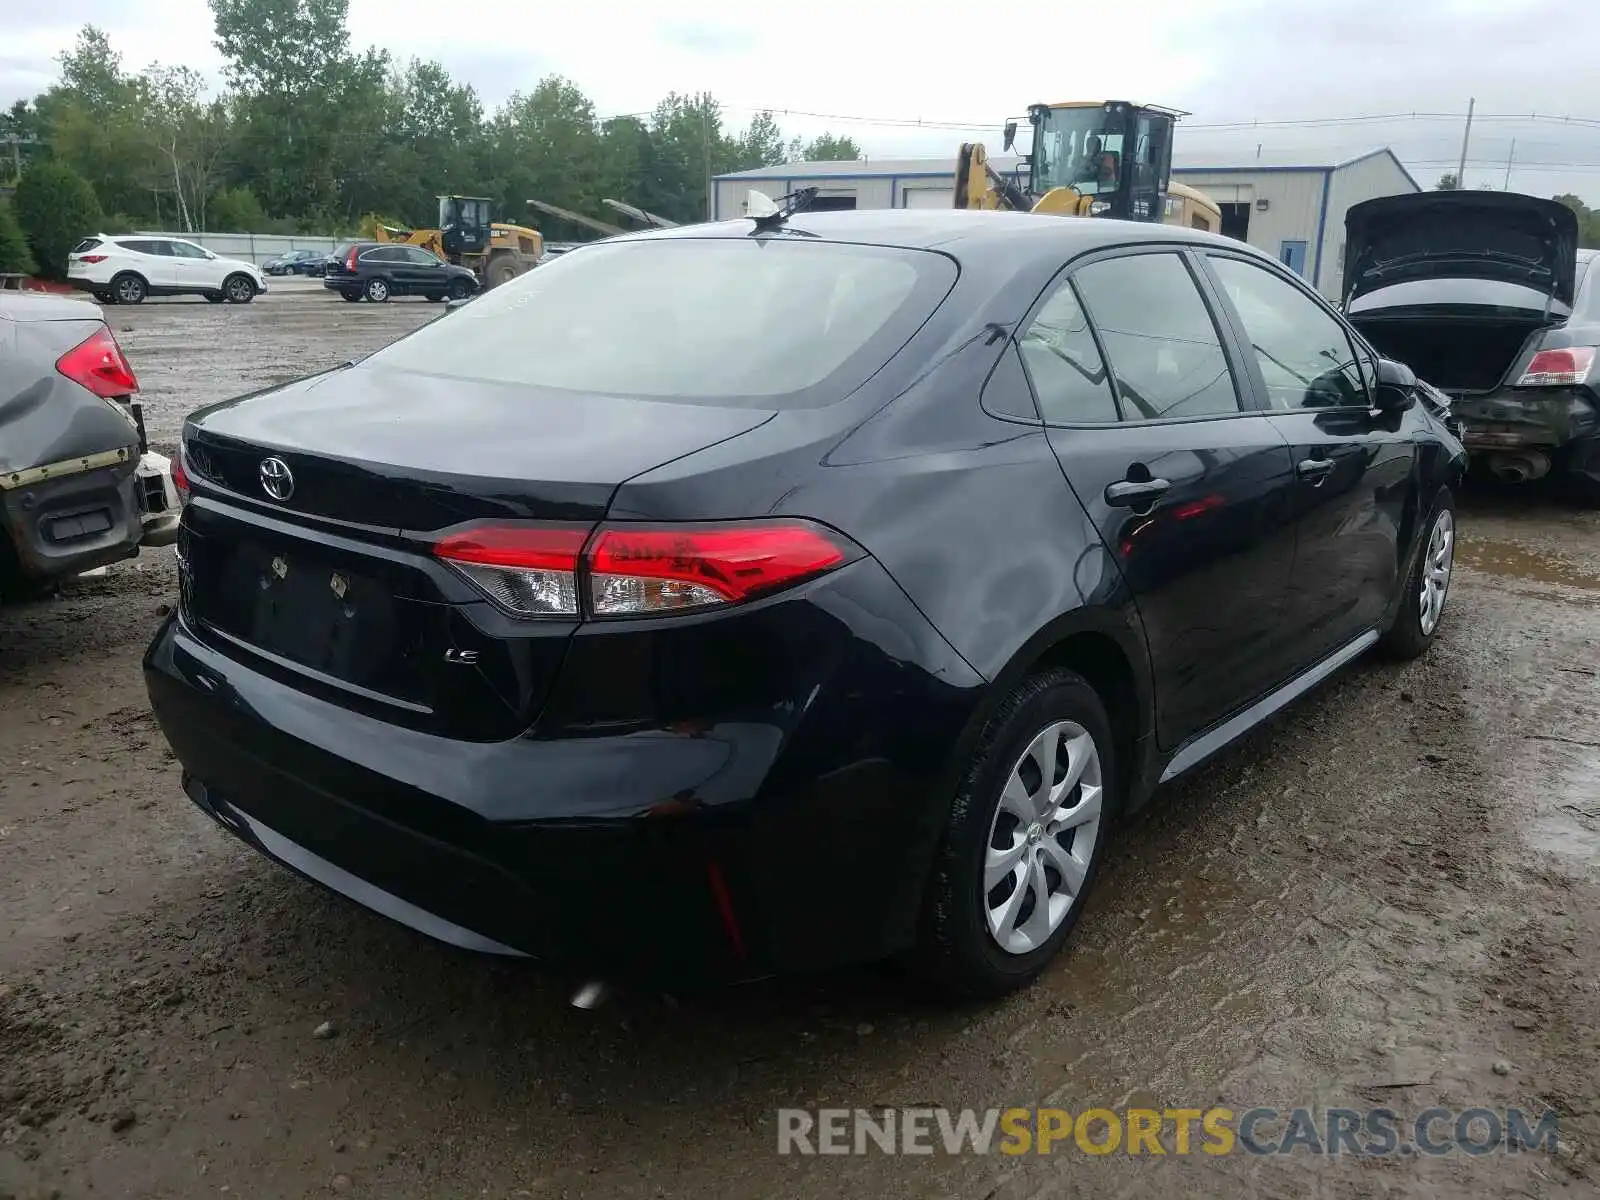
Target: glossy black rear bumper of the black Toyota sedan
(786, 839)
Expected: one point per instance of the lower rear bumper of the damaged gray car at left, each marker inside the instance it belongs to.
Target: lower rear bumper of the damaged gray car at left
(66, 524)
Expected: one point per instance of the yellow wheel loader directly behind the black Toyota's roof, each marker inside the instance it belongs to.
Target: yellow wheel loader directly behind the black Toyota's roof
(1090, 159)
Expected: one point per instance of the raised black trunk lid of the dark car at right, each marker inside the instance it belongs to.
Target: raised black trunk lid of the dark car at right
(1489, 236)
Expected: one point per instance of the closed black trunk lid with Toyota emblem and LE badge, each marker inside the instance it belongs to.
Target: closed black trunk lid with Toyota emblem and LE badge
(308, 545)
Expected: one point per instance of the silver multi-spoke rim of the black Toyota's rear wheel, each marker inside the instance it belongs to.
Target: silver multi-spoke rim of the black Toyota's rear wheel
(1042, 838)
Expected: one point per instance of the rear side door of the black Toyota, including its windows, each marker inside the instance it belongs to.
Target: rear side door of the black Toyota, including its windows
(1156, 430)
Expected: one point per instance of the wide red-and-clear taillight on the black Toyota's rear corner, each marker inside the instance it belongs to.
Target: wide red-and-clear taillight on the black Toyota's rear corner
(641, 570)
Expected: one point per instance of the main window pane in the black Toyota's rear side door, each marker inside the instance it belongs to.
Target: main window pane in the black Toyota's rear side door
(1166, 354)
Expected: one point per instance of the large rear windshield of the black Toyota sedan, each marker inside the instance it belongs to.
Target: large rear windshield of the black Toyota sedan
(762, 322)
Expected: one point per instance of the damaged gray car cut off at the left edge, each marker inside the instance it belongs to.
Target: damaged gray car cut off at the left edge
(79, 486)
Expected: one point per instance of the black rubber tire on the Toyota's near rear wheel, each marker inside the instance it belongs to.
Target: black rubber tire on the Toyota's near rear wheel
(956, 948)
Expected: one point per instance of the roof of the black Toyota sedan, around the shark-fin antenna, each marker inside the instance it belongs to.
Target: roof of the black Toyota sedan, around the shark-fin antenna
(961, 233)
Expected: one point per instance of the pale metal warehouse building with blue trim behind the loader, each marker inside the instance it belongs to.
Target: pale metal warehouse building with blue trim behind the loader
(1290, 210)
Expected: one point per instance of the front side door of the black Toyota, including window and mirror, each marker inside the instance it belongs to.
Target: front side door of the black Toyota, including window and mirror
(1353, 495)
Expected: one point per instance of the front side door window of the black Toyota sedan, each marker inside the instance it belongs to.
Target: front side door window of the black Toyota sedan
(1305, 356)
